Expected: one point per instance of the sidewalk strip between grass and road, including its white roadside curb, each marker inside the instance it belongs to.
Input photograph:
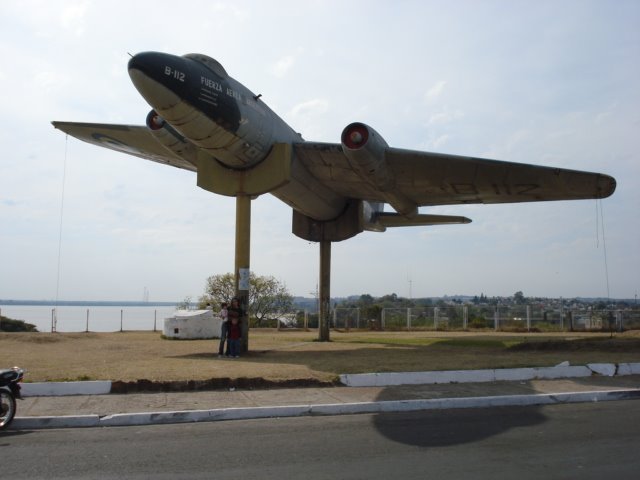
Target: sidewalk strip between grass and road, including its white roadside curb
(181, 407)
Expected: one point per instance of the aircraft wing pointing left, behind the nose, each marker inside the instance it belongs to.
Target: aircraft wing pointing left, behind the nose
(131, 139)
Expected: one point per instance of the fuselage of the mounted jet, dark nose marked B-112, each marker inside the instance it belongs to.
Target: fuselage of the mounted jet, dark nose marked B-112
(227, 122)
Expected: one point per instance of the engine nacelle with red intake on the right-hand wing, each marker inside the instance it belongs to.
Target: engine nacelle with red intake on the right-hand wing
(365, 150)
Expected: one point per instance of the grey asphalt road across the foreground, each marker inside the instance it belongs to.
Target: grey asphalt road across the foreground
(595, 440)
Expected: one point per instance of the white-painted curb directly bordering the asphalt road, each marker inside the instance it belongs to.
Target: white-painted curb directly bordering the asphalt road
(226, 414)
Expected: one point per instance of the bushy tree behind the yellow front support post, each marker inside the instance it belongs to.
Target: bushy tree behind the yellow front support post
(267, 296)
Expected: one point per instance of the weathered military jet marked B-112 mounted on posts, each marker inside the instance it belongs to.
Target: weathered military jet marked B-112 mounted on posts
(205, 121)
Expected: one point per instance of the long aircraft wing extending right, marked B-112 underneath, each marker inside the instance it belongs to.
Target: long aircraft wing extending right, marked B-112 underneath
(440, 179)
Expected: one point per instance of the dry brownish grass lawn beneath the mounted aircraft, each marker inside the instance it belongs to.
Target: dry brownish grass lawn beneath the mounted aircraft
(296, 355)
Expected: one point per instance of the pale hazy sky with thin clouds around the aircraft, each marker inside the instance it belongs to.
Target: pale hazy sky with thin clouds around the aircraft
(546, 82)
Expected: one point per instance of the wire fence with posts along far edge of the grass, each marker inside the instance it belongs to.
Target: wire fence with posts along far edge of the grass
(523, 318)
